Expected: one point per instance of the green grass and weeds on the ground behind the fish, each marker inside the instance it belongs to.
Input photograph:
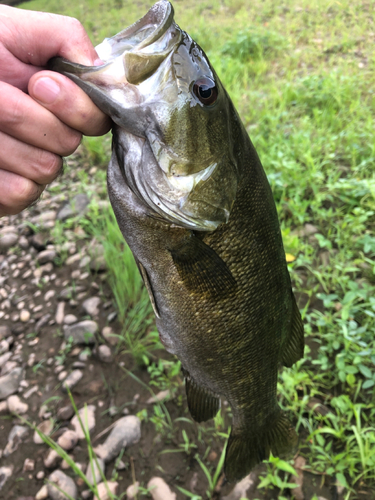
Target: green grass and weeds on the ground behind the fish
(302, 77)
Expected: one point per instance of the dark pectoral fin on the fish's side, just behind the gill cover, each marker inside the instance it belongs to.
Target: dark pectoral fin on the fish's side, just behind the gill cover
(201, 269)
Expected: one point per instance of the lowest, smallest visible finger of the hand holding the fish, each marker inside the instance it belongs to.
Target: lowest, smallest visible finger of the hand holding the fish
(16, 192)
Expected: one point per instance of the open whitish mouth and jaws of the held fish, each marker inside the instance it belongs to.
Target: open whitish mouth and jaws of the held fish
(130, 57)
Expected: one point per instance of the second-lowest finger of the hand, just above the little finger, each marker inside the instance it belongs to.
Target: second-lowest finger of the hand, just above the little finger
(28, 161)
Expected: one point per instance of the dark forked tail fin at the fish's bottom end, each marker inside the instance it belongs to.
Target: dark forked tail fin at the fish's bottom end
(248, 447)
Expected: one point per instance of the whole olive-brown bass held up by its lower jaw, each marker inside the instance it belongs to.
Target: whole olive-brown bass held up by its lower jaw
(194, 204)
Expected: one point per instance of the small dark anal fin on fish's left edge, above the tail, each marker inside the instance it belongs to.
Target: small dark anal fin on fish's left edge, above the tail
(203, 404)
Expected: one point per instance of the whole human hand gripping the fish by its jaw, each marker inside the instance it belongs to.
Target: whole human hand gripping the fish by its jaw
(38, 128)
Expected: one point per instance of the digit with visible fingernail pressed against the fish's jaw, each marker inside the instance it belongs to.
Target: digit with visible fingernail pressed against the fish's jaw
(68, 102)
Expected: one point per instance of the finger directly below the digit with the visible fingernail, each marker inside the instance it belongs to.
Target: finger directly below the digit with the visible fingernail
(28, 121)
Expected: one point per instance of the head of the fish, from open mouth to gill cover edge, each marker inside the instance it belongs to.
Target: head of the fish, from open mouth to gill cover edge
(175, 125)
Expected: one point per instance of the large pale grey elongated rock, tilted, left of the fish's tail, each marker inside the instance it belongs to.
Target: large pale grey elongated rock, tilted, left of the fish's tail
(126, 432)
